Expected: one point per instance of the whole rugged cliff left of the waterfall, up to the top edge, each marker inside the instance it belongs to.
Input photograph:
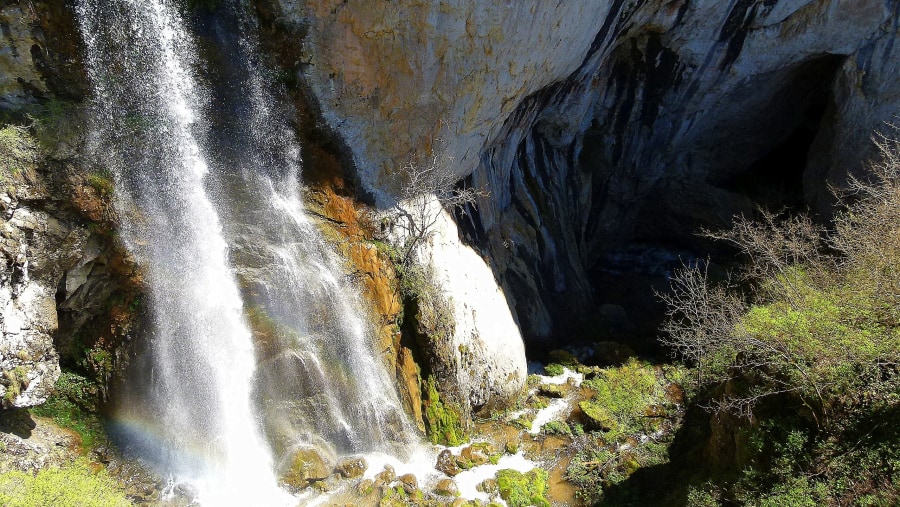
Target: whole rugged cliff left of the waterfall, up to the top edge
(68, 291)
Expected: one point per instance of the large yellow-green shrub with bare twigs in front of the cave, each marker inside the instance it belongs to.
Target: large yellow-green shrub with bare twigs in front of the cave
(810, 353)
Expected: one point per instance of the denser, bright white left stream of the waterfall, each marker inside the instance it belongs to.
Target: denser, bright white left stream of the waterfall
(198, 406)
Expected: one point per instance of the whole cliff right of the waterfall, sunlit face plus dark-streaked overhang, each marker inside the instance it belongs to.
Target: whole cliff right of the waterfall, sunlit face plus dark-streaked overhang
(602, 129)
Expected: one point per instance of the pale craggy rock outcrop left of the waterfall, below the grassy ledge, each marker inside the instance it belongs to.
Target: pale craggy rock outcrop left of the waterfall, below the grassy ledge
(65, 288)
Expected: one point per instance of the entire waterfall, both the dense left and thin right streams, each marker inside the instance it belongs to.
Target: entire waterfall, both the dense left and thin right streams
(257, 346)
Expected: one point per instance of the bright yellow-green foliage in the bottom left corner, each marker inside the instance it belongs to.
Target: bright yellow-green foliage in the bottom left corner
(73, 485)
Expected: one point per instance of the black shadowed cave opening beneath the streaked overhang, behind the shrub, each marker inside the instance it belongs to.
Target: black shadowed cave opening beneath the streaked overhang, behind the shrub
(628, 276)
